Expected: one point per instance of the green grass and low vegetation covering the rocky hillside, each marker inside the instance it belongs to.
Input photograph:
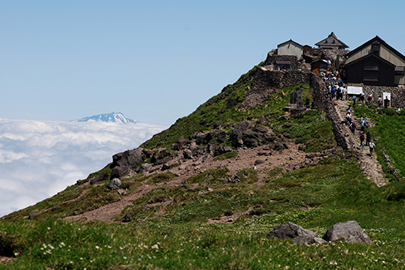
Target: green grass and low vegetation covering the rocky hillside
(183, 227)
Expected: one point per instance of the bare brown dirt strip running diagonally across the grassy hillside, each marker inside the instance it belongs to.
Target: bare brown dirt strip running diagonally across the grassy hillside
(258, 158)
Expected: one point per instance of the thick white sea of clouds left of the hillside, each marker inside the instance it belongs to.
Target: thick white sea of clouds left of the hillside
(40, 158)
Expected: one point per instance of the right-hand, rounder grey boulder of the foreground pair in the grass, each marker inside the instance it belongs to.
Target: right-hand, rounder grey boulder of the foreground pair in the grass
(350, 231)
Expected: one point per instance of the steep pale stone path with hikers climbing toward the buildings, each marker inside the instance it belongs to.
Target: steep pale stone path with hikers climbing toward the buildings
(368, 163)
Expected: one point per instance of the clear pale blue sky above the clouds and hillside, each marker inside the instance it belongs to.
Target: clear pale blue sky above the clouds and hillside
(156, 61)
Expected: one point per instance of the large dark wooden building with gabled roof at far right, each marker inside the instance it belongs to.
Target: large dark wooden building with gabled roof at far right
(375, 63)
